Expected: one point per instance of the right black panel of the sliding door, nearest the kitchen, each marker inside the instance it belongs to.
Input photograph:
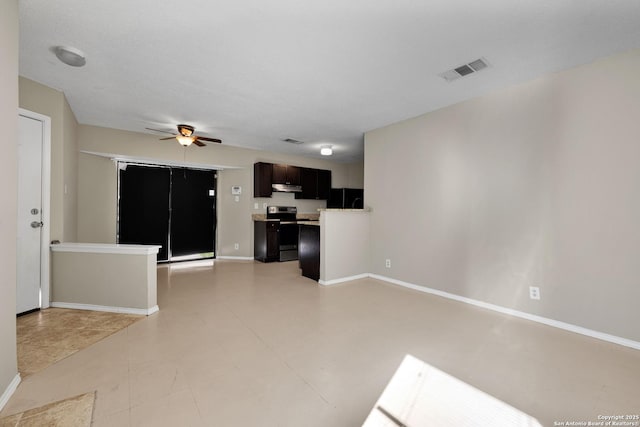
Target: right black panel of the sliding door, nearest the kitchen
(192, 212)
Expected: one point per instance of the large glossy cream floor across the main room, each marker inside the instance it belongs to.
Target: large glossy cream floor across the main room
(252, 344)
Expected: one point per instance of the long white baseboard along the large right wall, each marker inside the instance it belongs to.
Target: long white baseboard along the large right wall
(550, 322)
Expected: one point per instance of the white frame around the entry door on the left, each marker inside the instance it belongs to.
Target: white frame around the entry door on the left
(46, 204)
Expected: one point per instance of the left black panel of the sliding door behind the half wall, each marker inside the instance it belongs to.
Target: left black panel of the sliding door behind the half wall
(143, 209)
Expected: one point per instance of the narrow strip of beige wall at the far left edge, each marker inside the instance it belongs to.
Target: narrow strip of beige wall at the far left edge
(8, 179)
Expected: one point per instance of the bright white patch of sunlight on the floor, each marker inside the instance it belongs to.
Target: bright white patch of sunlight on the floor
(421, 395)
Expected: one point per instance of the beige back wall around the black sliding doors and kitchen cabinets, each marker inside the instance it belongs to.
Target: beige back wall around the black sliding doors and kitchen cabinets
(97, 179)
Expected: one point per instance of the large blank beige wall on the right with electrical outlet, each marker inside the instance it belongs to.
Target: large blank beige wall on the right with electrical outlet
(536, 185)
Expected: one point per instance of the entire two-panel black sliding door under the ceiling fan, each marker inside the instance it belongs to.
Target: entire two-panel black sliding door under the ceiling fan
(168, 206)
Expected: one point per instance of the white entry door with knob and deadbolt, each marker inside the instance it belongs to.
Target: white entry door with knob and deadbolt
(29, 242)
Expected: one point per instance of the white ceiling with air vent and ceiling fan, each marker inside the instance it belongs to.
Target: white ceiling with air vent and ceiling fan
(254, 72)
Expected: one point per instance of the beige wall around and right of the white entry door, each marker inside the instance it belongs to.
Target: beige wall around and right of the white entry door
(64, 164)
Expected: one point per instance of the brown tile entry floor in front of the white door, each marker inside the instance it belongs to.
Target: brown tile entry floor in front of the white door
(50, 335)
